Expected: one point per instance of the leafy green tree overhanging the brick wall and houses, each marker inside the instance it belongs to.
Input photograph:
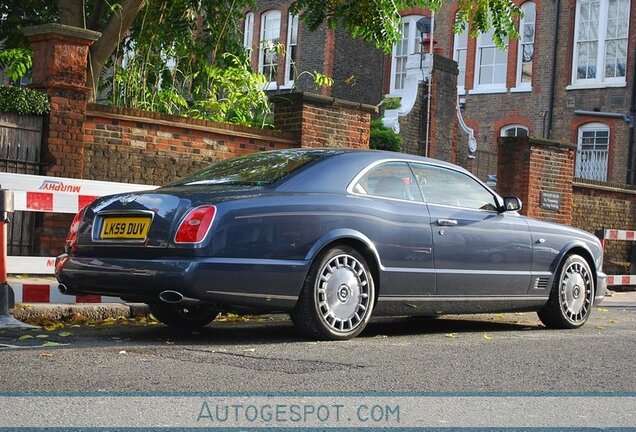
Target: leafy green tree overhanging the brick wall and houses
(185, 56)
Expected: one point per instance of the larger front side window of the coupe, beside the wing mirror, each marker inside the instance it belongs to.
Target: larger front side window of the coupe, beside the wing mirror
(445, 186)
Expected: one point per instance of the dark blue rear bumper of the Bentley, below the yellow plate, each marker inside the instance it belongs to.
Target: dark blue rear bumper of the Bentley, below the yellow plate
(258, 284)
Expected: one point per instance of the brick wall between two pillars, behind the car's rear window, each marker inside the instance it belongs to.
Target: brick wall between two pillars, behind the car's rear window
(134, 146)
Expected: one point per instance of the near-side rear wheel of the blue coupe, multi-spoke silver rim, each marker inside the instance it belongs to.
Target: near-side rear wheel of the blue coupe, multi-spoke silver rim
(338, 296)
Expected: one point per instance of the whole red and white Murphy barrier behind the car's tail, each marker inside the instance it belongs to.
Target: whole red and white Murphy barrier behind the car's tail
(53, 195)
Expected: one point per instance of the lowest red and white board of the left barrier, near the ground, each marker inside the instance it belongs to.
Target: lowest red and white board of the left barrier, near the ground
(48, 293)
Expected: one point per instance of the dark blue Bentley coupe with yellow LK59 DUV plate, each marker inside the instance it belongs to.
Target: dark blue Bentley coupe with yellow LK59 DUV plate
(331, 236)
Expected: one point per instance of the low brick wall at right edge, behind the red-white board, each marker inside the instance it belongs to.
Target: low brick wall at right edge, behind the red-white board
(599, 206)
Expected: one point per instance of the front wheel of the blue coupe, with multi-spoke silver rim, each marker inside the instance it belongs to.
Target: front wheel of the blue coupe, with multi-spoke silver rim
(572, 295)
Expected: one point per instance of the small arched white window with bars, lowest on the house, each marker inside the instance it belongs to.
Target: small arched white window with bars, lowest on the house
(596, 160)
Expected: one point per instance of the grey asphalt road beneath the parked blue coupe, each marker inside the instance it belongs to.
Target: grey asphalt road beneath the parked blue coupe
(483, 353)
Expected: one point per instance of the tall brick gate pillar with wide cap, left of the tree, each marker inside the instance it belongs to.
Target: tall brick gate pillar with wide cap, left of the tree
(59, 68)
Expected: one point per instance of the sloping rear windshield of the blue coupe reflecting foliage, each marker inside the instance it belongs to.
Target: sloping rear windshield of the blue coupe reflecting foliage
(256, 169)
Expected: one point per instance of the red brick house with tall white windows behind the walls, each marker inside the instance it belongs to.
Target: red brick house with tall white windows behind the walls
(570, 77)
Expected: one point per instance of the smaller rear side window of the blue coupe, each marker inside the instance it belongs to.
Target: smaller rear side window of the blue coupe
(389, 180)
